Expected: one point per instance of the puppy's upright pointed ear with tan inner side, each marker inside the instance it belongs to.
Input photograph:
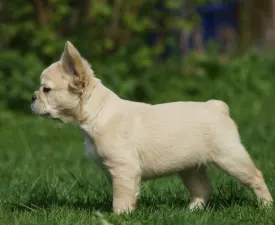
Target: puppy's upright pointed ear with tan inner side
(71, 60)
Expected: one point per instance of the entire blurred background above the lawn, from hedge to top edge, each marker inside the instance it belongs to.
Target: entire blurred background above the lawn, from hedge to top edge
(141, 49)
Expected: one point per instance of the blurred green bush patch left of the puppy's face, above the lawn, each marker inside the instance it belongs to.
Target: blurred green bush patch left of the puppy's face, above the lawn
(19, 77)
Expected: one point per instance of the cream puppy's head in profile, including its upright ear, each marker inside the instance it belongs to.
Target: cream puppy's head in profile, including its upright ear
(64, 86)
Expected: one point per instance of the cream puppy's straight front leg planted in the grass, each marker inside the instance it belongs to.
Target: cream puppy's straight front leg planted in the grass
(125, 181)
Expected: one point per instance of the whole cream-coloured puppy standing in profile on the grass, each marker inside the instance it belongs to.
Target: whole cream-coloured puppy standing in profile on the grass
(132, 141)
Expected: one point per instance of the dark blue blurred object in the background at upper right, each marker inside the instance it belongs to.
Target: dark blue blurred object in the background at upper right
(215, 16)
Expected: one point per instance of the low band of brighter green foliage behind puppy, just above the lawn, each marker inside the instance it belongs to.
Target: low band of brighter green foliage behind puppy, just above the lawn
(193, 78)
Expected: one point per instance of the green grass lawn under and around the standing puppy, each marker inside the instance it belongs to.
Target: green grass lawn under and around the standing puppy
(46, 179)
